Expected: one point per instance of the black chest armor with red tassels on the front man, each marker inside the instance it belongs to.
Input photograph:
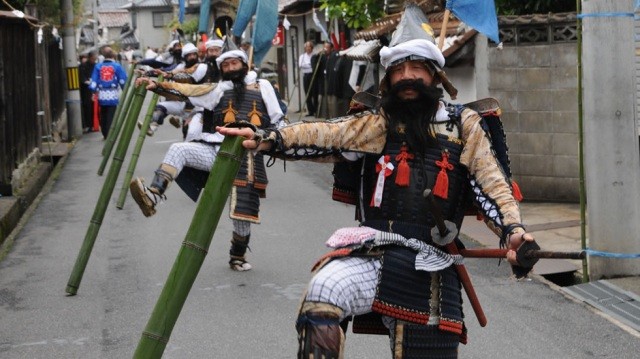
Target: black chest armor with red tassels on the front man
(400, 198)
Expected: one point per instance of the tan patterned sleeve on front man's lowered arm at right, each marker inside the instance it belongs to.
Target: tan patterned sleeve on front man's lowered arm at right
(490, 185)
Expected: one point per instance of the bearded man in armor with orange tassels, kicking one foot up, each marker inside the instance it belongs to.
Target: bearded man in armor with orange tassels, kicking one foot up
(240, 97)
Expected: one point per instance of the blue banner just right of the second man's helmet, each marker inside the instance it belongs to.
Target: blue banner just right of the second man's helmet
(264, 29)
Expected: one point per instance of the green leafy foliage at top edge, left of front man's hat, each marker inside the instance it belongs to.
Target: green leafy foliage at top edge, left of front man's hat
(356, 14)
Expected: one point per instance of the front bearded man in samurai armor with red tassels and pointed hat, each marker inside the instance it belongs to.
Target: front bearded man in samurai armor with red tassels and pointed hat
(393, 269)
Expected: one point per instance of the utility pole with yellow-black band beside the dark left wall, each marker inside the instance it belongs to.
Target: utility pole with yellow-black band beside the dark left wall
(74, 122)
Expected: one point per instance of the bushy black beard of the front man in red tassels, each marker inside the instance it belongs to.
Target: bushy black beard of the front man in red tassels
(416, 115)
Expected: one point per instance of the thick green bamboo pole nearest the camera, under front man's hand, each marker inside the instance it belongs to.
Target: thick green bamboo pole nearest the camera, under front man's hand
(194, 249)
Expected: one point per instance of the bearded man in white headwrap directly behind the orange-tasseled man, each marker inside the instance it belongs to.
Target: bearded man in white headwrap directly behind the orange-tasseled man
(189, 71)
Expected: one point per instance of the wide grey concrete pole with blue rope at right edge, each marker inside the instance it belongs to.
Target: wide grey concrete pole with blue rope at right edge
(612, 156)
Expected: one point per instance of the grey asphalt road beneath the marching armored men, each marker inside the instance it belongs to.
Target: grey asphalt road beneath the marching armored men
(229, 314)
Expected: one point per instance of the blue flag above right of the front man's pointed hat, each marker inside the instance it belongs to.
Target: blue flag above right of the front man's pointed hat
(479, 14)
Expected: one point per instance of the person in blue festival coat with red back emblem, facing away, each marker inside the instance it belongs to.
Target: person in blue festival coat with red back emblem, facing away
(107, 79)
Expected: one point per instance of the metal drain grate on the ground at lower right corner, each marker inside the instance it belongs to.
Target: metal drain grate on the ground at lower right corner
(620, 304)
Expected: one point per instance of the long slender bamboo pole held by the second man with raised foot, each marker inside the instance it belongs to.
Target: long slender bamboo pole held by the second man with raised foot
(105, 194)
